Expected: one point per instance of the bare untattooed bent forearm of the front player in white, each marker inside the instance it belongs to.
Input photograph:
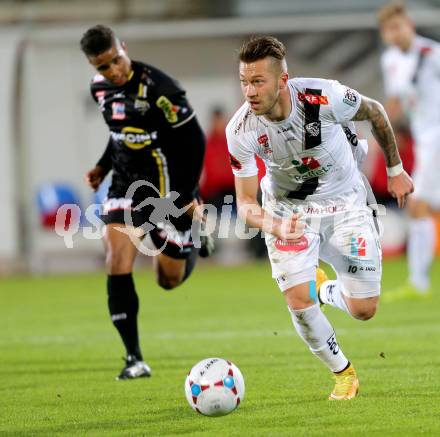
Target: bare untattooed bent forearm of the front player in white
(256, 217)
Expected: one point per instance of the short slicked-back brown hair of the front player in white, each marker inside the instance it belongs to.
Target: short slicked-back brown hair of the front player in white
(260, 47)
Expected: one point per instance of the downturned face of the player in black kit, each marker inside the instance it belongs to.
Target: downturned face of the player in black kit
(113, 64)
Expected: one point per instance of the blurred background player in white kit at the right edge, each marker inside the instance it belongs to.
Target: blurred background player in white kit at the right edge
(411, 72)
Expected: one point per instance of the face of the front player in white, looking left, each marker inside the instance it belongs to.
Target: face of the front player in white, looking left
(260, 85)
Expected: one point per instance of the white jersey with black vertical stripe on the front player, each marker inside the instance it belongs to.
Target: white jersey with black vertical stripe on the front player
(308, 155)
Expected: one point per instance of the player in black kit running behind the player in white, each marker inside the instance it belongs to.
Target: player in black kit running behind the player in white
(154, 137)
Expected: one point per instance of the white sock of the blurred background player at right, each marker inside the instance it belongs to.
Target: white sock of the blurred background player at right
(421, 246)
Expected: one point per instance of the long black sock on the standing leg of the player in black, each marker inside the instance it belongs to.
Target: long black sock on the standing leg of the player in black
(123, 304)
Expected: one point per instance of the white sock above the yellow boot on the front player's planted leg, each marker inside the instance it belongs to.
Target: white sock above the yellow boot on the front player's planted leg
(314, 328)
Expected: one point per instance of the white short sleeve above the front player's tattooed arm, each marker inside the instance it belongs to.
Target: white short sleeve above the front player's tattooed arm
(344, 102)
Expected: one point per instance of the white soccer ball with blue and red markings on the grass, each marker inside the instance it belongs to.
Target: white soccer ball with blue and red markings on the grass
(214, 387)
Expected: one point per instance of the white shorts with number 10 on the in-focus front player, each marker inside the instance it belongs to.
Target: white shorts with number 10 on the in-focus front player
(340, 232)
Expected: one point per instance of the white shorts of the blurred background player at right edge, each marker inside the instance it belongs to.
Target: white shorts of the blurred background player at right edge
(425, 175)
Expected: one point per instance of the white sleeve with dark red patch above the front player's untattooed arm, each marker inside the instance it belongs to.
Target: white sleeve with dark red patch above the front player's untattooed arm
(242, 158)
